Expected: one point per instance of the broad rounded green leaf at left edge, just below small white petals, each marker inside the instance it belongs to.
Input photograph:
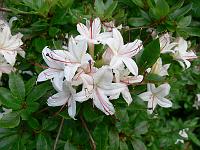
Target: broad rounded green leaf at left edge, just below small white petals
(10, 120)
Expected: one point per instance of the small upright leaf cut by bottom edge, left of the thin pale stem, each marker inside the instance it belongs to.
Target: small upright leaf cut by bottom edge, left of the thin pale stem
(41, 142)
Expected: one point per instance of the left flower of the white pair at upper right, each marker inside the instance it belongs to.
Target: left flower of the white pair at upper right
(166, 46)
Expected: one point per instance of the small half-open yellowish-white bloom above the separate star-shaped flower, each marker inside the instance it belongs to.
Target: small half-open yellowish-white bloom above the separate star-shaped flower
(158, 68)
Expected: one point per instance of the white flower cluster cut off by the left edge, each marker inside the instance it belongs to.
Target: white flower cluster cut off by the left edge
(9, 47)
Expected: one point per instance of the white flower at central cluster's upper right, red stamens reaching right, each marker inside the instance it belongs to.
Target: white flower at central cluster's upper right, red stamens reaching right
(120, 53)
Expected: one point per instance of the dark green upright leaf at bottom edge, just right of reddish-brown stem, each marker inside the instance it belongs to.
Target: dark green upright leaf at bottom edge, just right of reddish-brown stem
(101, 136)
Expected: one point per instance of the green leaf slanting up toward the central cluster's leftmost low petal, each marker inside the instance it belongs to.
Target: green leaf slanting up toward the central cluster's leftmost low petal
(37, 92)
